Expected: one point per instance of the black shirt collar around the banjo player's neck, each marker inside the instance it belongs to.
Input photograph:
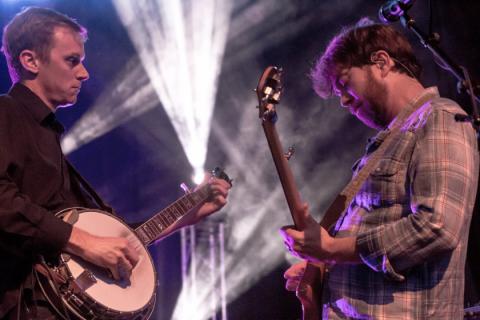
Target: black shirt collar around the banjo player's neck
(36, 107)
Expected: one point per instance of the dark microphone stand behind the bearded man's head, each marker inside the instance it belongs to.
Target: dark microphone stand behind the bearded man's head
(461, 73)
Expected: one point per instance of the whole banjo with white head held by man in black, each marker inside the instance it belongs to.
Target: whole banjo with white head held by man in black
(77, 289)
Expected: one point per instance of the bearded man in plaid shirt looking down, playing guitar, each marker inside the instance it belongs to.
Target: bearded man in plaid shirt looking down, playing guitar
(398, 251)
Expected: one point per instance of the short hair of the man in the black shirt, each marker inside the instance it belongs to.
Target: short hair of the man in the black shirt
(32, 29)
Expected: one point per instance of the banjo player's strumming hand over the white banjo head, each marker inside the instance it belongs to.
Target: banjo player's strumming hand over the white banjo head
(114, 254)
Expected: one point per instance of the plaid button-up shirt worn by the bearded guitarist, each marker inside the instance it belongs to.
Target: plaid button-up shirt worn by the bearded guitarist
(411, 220)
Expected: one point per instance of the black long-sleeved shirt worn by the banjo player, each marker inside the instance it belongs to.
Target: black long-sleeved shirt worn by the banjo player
(35, 183)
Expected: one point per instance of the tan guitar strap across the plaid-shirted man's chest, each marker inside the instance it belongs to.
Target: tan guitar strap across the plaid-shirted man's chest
(343, 199)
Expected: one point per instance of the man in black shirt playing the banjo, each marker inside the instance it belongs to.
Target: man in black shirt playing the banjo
(45, 51)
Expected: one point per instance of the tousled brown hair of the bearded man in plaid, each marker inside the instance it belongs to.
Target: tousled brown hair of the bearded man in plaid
(353, 47)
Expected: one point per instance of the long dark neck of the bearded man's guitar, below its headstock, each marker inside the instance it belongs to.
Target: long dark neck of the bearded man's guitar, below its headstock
(285, 173)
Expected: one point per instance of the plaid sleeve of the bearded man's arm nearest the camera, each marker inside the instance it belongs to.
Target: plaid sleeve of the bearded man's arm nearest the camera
(442, 183)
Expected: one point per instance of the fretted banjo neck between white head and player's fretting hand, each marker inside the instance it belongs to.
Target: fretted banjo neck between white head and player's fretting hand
(151, 230)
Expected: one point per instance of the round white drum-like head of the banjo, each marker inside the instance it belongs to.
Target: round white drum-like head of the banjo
(129, 296)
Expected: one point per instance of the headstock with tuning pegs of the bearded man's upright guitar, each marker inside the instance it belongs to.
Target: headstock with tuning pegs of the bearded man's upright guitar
(268, 90)
